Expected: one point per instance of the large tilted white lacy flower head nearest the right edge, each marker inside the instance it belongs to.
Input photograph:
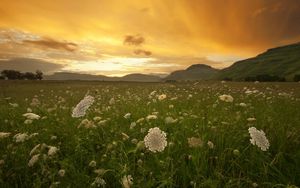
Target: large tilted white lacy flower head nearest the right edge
(258, 138)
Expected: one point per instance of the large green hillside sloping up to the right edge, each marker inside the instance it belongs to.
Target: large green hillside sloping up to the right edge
(281, 61)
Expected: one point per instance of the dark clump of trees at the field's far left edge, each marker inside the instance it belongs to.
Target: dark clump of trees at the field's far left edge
(17, 75)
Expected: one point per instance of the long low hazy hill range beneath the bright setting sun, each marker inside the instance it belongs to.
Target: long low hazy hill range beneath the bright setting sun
(78, 76)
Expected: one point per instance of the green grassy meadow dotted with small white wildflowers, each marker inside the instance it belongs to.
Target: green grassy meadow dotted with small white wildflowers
(115, 143)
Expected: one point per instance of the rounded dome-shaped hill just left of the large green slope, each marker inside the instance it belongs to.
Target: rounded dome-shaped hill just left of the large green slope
(194, 72)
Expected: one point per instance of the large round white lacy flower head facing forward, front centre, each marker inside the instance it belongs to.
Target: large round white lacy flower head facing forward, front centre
(155, 140)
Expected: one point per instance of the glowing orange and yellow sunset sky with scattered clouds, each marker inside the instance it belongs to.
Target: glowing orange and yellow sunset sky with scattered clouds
(118, 37)
